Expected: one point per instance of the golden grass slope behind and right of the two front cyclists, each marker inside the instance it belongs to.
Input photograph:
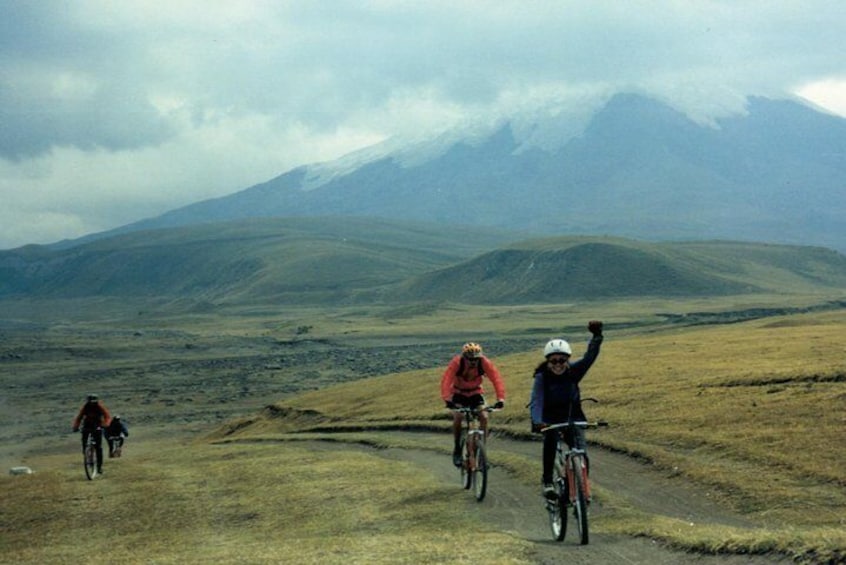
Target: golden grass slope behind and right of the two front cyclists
(755, 410)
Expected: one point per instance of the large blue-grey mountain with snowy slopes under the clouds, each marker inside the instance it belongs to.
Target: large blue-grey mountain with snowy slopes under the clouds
(632, 167)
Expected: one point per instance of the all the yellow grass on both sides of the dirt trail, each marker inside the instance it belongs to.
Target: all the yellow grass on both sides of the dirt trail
(754, 411)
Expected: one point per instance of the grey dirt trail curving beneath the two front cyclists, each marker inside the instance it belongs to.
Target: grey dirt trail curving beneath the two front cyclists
(517, 507)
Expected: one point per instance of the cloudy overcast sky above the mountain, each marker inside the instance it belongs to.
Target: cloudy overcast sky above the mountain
(114, 111)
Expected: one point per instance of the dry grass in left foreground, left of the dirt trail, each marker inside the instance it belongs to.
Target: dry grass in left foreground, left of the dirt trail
(276, 503)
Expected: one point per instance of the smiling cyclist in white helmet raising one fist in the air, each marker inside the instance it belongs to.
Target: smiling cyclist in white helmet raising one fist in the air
(556, 397)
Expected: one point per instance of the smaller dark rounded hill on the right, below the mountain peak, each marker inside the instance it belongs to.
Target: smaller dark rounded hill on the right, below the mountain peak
(569, 268)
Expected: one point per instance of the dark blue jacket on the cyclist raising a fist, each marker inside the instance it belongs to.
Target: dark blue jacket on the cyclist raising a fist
(556, 398)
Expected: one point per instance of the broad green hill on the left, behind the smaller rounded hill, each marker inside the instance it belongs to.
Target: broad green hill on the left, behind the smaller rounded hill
(301, 259)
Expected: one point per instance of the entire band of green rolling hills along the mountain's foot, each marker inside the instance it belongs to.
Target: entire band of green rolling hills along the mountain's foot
(303, 261)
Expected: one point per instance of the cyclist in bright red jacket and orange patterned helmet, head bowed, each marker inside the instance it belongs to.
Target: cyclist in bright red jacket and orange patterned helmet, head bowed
(461, 386)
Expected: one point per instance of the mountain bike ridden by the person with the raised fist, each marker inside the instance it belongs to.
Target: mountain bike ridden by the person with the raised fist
(572, 484)
